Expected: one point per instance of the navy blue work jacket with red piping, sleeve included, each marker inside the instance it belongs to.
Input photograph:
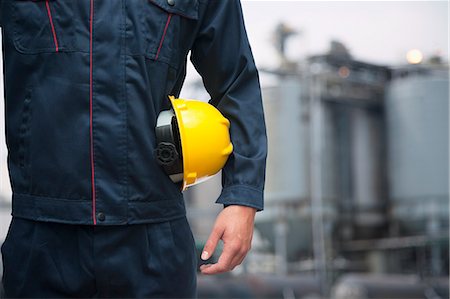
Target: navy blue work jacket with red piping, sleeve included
(69, 168)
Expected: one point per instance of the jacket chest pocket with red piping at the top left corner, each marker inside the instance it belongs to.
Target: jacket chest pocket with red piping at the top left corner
(44, 26)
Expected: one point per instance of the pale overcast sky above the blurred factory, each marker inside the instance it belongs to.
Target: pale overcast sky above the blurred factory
(374, 31)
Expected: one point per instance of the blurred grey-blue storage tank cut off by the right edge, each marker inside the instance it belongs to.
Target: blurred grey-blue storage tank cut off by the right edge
(417, 107)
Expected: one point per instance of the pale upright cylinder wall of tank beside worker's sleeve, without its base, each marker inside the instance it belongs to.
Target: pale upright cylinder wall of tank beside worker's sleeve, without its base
(287, 132)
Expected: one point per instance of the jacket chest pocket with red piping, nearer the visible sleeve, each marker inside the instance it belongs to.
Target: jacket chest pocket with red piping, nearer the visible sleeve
(162, 28)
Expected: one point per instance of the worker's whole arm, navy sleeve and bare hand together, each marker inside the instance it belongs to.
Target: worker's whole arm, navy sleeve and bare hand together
(222, 55)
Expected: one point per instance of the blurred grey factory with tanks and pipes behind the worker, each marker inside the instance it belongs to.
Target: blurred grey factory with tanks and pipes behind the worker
(357, 189)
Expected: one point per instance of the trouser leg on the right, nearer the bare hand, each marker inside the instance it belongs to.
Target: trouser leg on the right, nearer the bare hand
(146, 261)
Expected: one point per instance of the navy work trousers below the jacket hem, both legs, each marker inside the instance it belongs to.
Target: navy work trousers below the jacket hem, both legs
(52, 260)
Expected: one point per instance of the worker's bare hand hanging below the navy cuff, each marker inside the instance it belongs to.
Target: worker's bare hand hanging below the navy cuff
(234, 226)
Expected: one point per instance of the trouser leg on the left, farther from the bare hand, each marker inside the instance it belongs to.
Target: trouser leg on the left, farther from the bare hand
(47, 260)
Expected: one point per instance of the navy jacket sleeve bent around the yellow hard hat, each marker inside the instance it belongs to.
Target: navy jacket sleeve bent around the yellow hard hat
(222, 56)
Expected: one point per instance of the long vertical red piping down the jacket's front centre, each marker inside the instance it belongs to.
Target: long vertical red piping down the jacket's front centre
(91, 135)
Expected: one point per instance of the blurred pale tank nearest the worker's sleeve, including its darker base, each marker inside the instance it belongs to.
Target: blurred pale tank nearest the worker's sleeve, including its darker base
(287, 174)
